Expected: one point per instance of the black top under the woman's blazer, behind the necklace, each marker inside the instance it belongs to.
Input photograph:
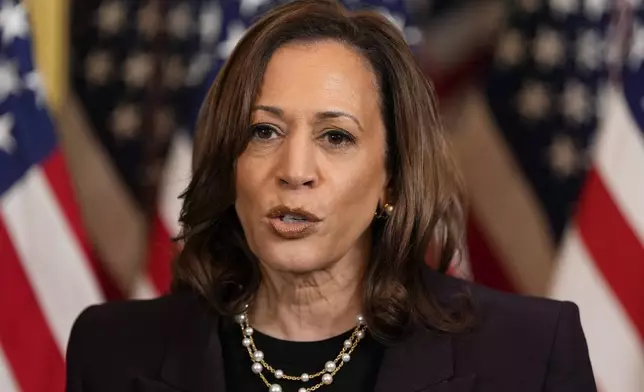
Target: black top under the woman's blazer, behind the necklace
(295, 358)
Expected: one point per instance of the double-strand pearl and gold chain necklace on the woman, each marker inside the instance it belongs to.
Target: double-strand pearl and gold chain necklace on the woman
(330, 367)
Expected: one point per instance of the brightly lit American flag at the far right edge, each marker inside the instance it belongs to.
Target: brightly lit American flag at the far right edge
(601, 265)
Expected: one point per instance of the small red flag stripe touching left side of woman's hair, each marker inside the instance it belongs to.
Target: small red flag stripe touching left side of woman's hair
(160, 255)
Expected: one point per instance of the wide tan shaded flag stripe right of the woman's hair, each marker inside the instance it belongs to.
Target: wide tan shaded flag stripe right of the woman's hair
(503, 202)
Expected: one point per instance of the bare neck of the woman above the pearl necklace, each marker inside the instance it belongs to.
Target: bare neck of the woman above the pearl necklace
(311, 306)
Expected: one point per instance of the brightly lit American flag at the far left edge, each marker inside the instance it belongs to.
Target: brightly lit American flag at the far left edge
(46, 273)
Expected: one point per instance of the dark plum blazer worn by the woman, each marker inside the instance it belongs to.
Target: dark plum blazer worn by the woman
(171, 344)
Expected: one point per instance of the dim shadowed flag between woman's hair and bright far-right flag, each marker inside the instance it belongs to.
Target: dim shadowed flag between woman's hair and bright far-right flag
(541, 92)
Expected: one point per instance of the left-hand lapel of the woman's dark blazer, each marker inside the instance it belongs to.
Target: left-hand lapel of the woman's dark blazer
(193, 358)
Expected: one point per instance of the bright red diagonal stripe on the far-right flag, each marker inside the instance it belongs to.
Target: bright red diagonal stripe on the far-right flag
(614, 247)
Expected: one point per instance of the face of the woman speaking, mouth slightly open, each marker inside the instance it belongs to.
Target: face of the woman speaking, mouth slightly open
(312, 176)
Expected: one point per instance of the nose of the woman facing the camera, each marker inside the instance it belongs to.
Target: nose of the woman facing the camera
(297, 167)
